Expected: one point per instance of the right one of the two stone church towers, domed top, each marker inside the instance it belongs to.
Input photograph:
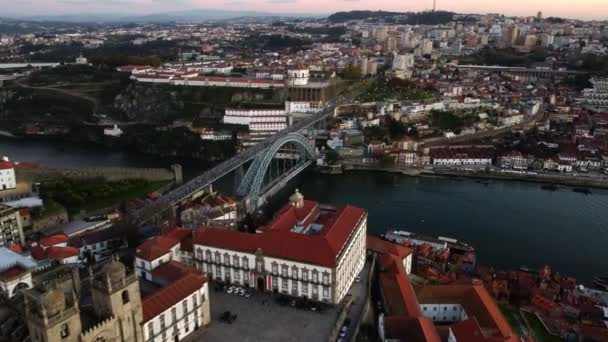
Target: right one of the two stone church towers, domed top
(116, 294)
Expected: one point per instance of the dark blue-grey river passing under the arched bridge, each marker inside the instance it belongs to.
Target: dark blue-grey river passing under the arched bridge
(510, 223)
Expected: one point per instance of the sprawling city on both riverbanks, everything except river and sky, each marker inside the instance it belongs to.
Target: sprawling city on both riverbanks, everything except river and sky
(92, 254)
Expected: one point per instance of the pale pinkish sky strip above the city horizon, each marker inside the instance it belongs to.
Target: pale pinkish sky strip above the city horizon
(583, 9)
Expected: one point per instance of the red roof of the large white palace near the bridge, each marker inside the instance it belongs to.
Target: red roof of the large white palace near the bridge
(278, 240)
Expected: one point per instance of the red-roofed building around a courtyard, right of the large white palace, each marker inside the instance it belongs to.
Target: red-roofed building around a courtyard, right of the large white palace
(420, 313)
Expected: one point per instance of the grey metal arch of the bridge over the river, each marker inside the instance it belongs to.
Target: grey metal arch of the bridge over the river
(254, 178)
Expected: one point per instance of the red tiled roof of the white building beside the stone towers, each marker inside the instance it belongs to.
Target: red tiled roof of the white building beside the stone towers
(172, 294)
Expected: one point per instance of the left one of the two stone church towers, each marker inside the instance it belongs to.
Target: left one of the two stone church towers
(52, 316)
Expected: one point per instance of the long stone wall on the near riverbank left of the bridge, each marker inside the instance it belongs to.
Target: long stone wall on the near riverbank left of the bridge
(41, 174)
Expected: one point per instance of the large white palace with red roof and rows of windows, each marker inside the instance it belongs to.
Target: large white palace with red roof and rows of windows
(308, 250)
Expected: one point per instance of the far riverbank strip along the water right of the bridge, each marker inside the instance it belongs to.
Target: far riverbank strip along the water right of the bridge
(558, 179)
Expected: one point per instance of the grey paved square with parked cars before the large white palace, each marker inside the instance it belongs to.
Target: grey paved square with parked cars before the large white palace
(257, 321)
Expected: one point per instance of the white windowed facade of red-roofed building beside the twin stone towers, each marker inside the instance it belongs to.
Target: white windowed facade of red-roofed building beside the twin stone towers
(180, 319)
